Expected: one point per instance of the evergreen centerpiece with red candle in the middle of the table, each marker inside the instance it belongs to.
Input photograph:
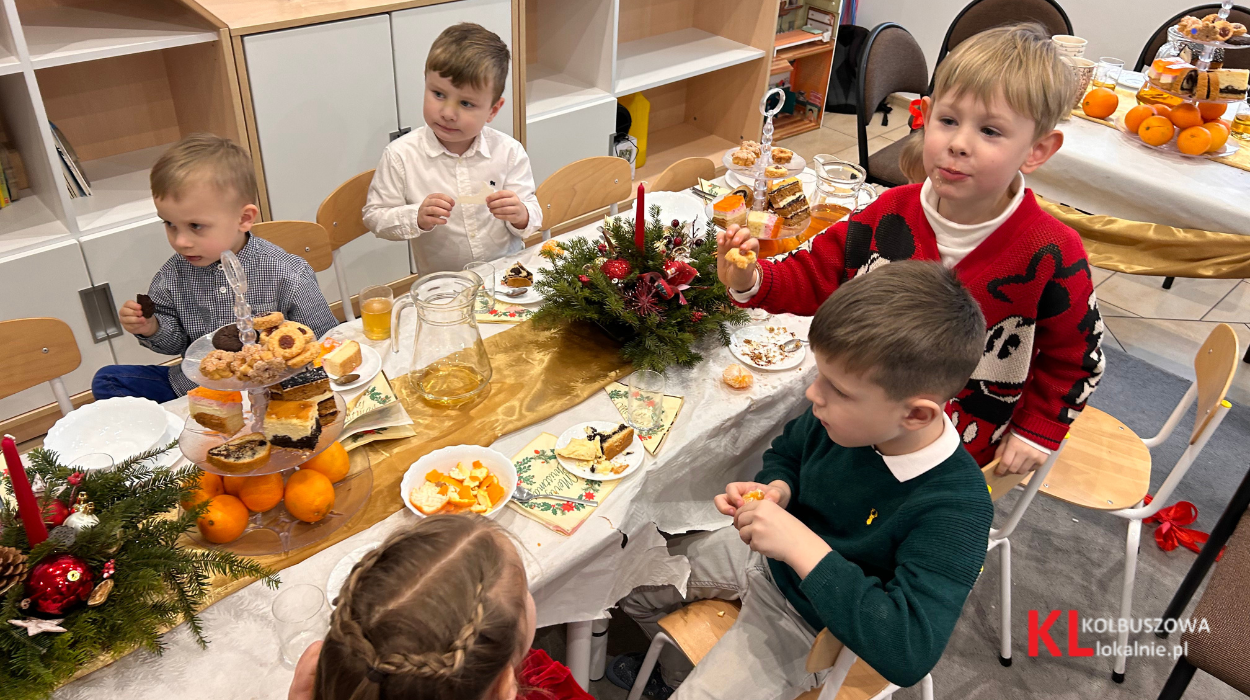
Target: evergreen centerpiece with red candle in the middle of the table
(649, 284)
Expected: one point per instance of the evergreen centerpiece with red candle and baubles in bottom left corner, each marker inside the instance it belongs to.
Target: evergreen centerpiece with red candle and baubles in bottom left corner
(109, 577)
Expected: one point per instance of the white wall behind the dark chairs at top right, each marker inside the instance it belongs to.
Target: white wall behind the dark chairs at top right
(1114, 28)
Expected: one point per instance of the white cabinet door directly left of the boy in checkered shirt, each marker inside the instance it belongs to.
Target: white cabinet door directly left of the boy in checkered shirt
(128, 259)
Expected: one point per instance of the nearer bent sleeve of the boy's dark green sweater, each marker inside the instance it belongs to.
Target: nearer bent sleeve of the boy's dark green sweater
(902, 628)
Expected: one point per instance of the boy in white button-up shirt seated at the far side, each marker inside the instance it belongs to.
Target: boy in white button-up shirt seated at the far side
(423, 176)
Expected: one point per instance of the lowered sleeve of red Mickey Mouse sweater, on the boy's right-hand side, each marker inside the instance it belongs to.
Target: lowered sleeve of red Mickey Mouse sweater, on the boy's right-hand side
(1069, 356)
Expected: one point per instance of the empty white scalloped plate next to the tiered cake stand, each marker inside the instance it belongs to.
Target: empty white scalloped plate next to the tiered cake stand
(122, 427)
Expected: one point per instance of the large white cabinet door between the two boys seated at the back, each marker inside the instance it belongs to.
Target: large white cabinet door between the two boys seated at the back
(324, 98)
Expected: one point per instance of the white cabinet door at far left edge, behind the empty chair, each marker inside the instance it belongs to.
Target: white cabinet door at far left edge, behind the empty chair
(46, 283)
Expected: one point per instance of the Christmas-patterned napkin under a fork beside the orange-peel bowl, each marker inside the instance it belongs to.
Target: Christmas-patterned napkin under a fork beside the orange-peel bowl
(541, 473)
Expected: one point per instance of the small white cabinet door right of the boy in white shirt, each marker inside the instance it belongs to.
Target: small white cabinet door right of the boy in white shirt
(558, 141)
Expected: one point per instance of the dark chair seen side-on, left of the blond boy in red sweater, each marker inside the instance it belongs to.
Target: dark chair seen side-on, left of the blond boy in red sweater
(892, 63)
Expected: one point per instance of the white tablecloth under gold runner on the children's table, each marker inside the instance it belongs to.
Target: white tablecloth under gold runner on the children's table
(718, 438)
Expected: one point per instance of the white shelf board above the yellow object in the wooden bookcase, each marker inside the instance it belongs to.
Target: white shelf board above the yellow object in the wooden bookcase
(668, 58)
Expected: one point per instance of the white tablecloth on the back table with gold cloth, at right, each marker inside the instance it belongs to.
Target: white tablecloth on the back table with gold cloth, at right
(1101, 171)
